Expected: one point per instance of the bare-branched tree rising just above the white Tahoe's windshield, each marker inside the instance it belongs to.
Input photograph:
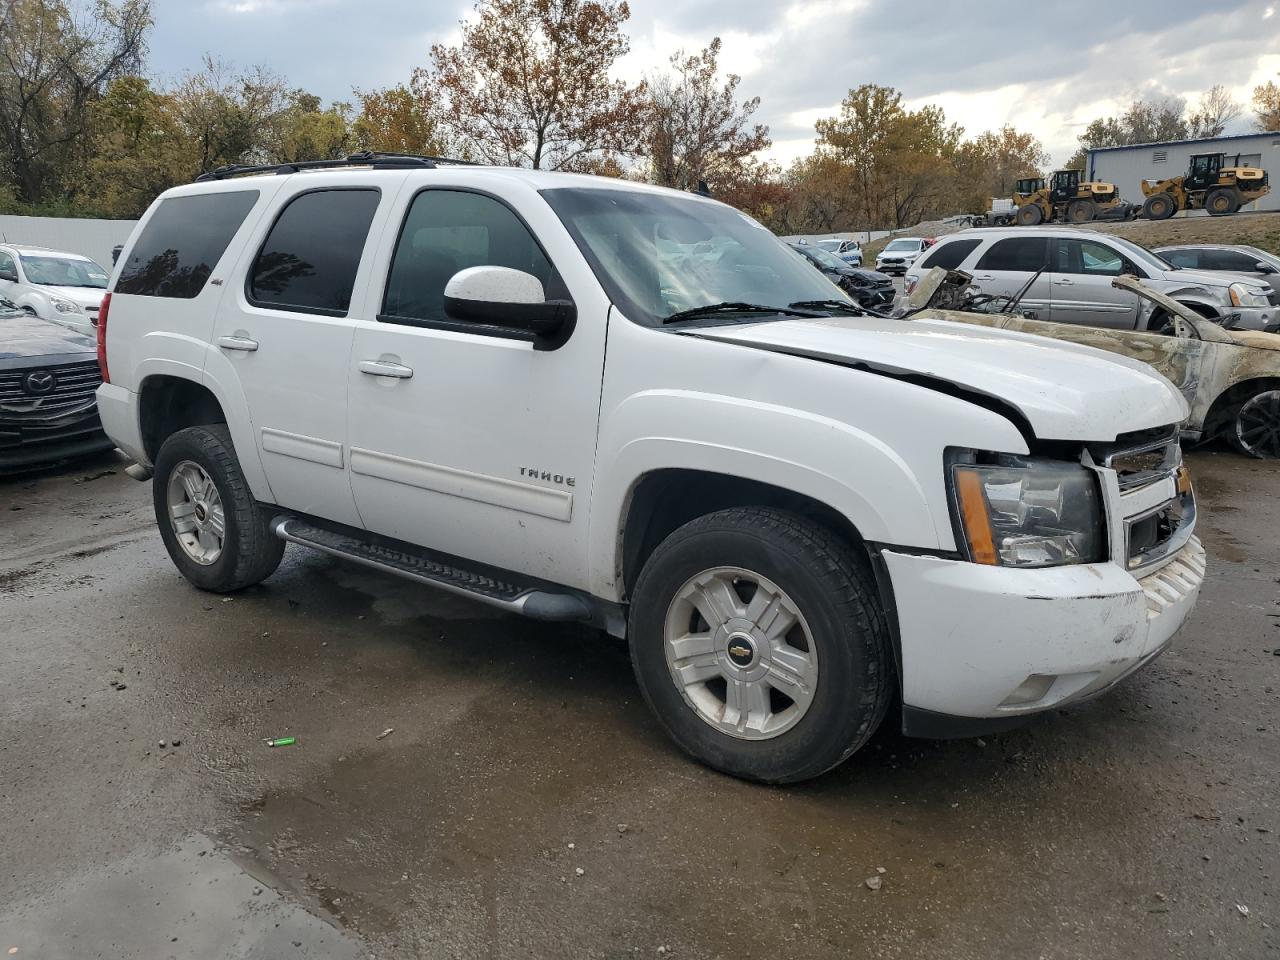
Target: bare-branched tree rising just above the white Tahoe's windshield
(697, 127)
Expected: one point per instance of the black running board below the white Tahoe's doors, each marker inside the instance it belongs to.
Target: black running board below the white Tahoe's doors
(511, 596)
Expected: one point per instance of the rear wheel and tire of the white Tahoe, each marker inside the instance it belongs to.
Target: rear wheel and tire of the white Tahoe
(198, 481)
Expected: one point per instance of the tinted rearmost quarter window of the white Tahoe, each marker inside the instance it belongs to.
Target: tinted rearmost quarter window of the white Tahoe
(182, 244)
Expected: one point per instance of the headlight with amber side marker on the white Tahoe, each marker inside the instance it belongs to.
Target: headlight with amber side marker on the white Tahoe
(1023, 513)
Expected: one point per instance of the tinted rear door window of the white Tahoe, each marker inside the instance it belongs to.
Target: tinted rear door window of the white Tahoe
(309, 260)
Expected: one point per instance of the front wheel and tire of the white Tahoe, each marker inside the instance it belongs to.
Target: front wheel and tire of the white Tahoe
(822, 625)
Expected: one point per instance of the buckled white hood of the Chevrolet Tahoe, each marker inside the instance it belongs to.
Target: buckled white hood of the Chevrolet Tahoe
(1066, 392)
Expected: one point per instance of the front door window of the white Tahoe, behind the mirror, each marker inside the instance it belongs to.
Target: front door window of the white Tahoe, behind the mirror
(447, 231)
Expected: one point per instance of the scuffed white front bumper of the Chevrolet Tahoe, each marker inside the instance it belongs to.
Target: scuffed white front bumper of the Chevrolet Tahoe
(977, 642)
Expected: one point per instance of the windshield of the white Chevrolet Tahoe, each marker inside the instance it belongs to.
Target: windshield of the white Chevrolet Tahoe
(657, 255)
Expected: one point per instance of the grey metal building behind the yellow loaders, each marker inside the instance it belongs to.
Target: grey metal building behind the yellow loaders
(1128, 167)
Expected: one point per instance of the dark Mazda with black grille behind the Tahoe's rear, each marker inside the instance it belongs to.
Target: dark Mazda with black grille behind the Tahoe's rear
(48, 404)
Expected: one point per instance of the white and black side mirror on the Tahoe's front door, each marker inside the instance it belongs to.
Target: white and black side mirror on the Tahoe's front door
(499, 296)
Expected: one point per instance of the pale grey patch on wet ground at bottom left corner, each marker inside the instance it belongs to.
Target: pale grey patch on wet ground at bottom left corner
(193, 902)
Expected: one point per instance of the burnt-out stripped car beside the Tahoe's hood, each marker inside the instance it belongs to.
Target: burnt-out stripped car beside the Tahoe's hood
(1231, 378)
